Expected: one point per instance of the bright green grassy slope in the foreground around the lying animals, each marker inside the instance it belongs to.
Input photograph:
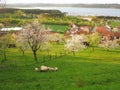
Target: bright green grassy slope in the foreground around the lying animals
(87, 70)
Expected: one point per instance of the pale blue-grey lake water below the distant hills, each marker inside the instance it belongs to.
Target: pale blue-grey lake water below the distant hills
(75, 11)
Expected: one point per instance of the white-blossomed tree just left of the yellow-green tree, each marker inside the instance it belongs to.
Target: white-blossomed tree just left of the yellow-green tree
(75, 44)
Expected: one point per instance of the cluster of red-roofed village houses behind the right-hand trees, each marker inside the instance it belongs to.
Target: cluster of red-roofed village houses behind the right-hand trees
(106, 32)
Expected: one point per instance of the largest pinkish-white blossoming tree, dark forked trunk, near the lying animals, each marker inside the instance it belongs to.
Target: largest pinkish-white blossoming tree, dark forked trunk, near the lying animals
(33, 34)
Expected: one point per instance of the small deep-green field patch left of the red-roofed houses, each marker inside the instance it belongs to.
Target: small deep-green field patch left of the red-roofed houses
(57, 28)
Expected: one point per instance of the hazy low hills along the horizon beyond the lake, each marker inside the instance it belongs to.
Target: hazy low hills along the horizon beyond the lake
(117, 6)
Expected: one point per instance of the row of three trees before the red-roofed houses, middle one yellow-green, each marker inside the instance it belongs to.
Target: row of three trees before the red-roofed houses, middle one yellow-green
(75, 43)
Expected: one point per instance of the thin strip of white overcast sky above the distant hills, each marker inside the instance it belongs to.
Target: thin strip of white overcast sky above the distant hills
(63, 1)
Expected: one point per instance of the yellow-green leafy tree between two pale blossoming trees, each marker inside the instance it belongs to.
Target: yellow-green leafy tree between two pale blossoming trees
(94, 39)
